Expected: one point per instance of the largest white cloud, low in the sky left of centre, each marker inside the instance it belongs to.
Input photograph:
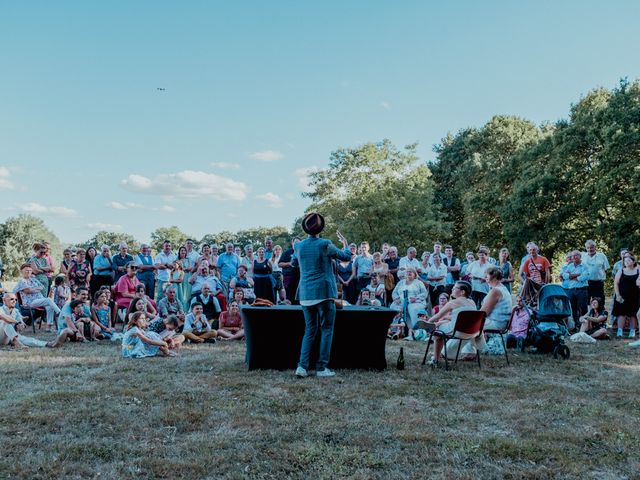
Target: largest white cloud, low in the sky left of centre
(187, 184)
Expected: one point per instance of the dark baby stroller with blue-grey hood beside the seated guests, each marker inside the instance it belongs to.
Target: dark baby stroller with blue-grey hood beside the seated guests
(548, 324)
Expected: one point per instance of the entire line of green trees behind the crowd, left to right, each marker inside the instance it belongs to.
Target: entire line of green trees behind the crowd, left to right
(502, 184)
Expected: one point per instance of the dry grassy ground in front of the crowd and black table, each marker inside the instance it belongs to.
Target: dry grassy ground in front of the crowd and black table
(84, 412)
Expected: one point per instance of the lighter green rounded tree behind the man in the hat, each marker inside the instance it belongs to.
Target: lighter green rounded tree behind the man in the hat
(378, 193)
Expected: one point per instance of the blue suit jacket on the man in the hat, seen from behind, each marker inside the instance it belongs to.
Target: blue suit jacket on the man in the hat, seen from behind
(317, 279)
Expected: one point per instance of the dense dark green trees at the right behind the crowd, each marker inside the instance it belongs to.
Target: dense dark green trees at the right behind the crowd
(511, 182)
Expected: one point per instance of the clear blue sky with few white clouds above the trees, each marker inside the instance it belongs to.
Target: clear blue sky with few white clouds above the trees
(129, 116)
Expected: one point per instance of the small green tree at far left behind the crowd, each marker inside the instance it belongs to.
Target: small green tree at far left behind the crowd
(17, 236)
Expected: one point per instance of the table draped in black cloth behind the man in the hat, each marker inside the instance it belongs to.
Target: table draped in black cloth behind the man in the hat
(274, 336)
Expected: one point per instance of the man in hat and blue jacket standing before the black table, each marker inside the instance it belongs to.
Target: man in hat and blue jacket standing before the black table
(317, 291)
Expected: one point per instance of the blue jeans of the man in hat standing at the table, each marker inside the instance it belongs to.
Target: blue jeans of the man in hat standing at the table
(322, 314)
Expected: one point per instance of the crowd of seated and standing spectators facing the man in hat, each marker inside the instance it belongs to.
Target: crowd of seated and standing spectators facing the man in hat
(195, 295)
